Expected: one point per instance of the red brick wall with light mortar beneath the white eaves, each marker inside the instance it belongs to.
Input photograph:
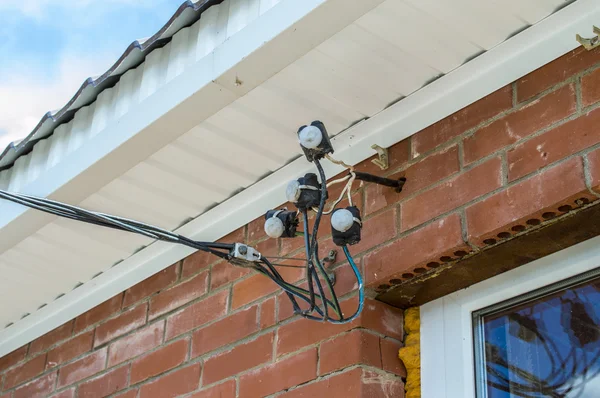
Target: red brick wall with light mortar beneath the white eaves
(521, 157)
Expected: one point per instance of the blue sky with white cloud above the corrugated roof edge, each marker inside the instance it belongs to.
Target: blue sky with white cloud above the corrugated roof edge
(48, 48)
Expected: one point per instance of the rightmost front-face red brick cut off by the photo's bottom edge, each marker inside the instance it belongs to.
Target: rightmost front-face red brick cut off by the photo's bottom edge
(343, 385)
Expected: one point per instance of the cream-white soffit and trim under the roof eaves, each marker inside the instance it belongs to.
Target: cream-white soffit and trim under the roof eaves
(227, 120)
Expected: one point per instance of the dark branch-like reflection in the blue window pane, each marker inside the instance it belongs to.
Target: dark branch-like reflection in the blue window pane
(570, 369)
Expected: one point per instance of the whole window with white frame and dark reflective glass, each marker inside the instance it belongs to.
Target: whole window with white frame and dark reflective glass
(530, 332)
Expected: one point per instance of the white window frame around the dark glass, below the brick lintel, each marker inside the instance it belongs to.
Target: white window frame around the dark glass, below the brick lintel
(447, 349)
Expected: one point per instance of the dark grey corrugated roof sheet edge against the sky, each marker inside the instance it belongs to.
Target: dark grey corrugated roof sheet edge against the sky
(187, 13)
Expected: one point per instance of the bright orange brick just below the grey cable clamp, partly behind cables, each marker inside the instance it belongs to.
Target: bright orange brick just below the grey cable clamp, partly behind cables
(258, 286)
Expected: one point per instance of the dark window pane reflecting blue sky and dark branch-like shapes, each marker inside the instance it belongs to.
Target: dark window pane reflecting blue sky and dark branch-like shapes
(546, 346)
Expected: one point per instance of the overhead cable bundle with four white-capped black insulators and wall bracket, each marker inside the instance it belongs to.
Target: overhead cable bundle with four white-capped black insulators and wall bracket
(308, 193)
